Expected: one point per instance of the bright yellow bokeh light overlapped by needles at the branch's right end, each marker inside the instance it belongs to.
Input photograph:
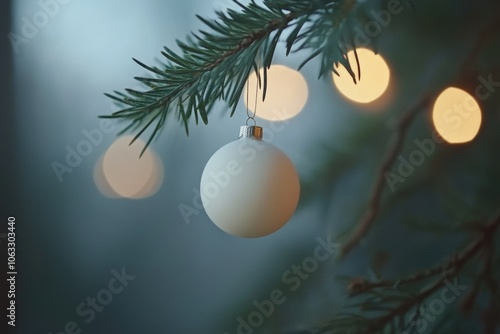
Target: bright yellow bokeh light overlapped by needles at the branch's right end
(375, 77)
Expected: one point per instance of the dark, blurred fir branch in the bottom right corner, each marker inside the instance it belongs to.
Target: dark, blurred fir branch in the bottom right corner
(390, 301)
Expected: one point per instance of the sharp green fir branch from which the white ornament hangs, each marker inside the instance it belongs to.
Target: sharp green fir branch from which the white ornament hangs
(214, 64)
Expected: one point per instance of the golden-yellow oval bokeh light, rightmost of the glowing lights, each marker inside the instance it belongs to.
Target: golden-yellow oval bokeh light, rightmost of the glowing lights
(456, 116)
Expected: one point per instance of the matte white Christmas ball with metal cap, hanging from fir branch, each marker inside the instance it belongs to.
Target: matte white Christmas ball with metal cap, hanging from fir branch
(249, 188)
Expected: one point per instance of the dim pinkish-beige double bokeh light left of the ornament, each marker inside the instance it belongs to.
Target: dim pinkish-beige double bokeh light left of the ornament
(120, 172)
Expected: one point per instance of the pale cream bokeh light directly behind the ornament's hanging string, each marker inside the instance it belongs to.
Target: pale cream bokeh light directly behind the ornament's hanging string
(286, 93)
